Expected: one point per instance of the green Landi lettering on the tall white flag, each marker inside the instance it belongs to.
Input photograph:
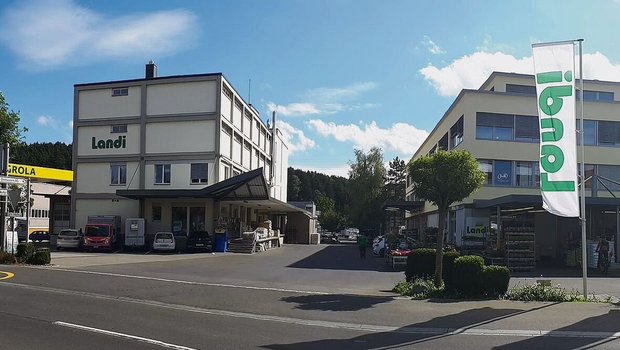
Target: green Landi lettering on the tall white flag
(550, 102)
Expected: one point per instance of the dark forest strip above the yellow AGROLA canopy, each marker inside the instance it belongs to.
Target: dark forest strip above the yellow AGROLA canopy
(50, 155)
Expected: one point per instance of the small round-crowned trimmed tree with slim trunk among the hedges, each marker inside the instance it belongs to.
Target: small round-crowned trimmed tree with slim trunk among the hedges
(442, 179)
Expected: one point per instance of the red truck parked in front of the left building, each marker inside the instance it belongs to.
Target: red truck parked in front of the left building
(102, 232)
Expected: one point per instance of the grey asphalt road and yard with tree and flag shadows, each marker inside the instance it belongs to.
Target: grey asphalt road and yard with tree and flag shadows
(295, 297)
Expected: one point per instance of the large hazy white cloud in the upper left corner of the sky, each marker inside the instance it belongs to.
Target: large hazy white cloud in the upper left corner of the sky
(47, 34)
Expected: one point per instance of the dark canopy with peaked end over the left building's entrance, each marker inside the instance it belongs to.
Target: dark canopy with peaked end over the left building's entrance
(247, 186)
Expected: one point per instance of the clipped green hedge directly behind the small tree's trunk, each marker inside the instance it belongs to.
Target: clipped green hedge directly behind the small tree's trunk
(421, 264)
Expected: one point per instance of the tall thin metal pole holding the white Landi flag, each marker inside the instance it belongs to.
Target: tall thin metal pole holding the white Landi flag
(584, 261)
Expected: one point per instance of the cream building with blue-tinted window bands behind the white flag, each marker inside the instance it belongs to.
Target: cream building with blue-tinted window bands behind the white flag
(498, 125)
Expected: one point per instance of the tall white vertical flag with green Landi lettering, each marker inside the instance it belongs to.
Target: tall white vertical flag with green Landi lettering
(554, 65)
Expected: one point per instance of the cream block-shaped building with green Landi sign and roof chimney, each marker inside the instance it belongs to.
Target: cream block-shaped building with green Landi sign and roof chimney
(184, 152)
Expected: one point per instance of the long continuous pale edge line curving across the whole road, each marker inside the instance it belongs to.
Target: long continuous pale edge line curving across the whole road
(528, 333)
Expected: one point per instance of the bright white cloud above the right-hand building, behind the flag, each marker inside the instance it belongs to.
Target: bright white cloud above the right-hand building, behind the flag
(470, 71)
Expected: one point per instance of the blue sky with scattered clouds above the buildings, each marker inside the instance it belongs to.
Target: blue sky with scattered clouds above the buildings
(340, 74)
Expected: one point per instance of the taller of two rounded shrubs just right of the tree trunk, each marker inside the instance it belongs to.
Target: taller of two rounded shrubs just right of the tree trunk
(467, 275)
